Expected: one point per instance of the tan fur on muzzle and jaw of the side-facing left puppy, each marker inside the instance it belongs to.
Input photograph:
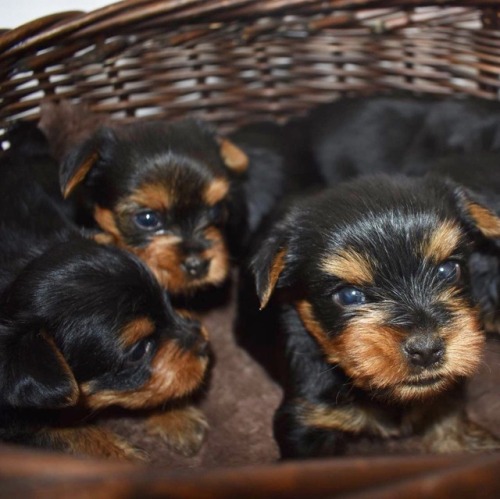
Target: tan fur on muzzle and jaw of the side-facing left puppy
(175, 372)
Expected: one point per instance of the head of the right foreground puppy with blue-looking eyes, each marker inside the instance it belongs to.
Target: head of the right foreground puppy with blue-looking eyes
(376, 270)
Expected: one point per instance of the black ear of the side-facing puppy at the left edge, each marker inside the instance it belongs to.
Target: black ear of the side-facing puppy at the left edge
(34, 374)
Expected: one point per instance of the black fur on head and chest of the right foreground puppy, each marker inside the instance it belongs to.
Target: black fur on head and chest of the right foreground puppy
(386, 220)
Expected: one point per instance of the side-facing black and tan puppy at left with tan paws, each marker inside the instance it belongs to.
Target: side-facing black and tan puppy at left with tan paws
(84, 327)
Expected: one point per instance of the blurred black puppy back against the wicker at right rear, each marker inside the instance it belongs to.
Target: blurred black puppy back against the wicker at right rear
(393, 134)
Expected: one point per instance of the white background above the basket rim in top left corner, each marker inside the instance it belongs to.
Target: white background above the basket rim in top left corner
(13, 13)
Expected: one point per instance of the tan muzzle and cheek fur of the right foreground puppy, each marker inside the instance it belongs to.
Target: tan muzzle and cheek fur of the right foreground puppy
(370, 352)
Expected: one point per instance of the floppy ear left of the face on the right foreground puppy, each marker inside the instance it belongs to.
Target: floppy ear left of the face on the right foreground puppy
(269, 263)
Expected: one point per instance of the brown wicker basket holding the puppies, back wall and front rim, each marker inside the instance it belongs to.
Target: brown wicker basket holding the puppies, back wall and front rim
(231, 62)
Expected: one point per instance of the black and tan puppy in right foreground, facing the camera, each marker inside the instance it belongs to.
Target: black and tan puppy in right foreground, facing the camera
(380, 325)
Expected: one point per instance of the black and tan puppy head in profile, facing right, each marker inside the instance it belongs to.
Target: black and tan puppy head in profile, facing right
(89, 324)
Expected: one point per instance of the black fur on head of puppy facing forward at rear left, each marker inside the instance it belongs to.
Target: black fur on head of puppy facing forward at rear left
(183, 158)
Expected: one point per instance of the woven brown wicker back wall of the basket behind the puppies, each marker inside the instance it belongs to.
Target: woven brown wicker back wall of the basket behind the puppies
(235, 61)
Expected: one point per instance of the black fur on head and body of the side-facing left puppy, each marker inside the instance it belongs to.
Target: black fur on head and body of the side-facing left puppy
(64, 302)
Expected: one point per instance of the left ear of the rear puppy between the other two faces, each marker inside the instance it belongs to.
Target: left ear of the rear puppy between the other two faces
(82, 159)
